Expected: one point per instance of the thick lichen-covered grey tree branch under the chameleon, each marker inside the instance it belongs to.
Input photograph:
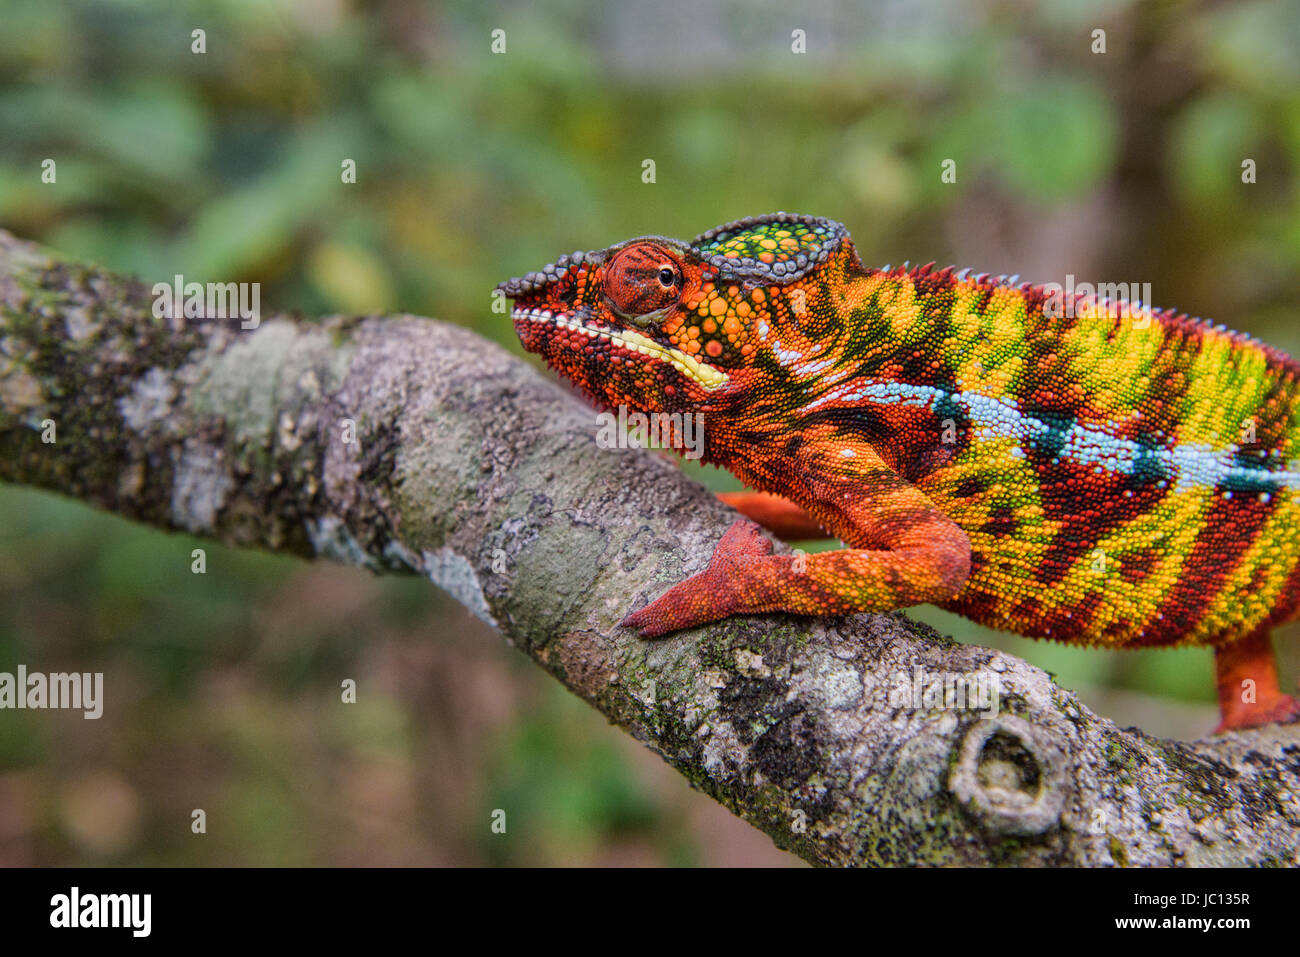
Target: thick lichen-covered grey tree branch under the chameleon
(474, 470)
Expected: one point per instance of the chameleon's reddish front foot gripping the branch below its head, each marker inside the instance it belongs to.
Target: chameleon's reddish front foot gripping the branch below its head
(712, 595)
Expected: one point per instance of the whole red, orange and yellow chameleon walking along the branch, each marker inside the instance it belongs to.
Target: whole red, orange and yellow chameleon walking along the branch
(1119, 478)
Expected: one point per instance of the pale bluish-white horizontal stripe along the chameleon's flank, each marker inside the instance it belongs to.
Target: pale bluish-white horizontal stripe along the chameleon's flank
(993, 418)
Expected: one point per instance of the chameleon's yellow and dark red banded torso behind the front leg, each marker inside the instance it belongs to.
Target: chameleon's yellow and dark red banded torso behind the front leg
(1126, 478)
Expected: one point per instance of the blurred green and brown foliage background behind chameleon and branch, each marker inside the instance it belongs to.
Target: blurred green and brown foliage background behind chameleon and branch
(1123, 166)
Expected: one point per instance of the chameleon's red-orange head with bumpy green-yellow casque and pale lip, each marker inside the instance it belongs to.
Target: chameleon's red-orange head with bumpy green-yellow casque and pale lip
(664, 326)
